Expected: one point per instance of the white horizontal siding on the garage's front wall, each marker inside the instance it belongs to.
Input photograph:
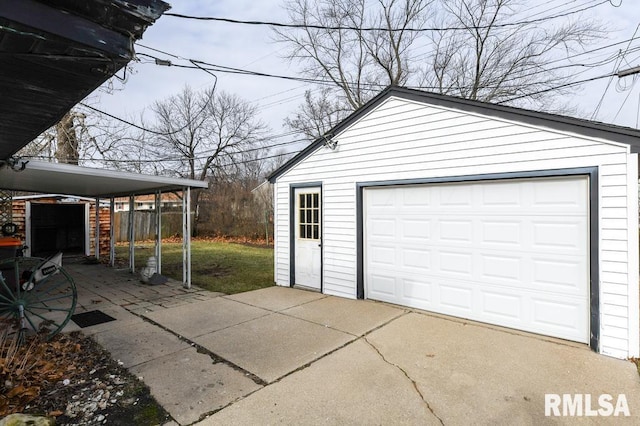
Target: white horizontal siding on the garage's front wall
(402, 139)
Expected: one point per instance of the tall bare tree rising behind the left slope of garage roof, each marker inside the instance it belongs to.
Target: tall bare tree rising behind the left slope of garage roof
(358, 62)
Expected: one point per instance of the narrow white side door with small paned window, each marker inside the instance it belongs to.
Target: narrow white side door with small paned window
(308, 237)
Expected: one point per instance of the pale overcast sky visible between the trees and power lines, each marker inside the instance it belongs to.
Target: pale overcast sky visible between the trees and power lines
(252, 47)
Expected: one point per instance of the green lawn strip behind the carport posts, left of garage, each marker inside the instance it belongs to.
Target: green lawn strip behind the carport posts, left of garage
(217, 266)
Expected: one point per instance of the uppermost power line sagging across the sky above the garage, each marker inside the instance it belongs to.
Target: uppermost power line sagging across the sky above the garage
(349, 28)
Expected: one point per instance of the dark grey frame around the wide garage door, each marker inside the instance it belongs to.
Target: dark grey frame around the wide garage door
(593, 226)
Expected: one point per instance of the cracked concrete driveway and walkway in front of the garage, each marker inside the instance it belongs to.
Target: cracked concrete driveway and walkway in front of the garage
(286, 356)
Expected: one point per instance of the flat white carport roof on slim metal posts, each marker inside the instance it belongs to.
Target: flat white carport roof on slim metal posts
(66, 179)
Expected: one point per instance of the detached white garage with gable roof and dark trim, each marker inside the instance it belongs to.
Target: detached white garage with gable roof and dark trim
(483, 212)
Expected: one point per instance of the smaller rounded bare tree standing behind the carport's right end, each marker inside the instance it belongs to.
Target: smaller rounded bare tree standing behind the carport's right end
(204, 133)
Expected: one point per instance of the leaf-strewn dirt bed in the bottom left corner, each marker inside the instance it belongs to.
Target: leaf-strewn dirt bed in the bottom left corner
(74, 380)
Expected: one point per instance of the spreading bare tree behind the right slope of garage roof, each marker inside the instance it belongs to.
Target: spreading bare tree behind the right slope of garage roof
(493, 62)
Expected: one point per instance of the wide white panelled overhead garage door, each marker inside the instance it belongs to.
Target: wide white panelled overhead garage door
(512, 252)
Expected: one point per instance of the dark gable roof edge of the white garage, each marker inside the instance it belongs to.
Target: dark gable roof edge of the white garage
(595, 129)
